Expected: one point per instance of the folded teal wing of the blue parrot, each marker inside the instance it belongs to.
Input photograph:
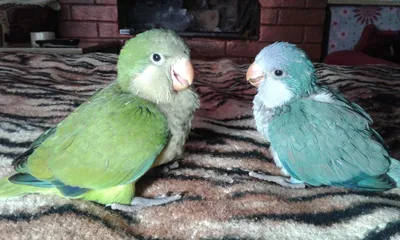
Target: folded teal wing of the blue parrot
(331, 144)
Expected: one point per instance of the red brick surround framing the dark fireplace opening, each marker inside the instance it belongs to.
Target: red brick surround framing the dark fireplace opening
(295, 21)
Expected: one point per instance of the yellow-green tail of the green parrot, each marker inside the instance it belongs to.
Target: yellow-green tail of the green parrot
(8, 189)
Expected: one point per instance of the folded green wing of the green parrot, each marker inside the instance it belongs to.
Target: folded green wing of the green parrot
(111, 139)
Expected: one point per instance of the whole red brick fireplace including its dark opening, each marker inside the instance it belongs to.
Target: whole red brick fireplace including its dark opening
(254, 24)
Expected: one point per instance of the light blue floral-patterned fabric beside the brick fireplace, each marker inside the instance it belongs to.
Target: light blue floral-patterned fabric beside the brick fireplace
(348, 22)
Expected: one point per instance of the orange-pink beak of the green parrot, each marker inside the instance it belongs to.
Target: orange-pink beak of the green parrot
(182, 74)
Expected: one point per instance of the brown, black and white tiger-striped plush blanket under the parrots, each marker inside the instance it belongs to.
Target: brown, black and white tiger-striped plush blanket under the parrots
(220, 200)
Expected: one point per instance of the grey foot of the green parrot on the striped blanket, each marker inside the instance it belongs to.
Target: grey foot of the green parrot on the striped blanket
(140, 203)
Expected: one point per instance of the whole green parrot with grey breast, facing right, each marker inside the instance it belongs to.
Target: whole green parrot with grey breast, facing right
(139, 121)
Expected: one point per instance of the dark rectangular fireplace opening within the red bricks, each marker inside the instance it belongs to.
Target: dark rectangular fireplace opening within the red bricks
(232, 19)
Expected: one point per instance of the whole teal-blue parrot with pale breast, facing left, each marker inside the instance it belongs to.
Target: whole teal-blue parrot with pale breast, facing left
(317, 136)
